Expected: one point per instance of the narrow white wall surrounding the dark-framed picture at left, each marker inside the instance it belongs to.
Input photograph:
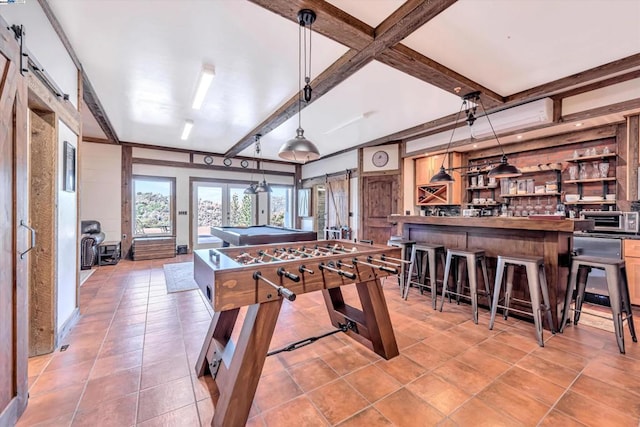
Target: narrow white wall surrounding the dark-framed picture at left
(67, 231)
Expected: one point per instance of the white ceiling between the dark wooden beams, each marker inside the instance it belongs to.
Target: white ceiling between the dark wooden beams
(143, 58)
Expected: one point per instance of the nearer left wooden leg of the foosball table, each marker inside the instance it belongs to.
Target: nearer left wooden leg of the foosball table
(237, 368)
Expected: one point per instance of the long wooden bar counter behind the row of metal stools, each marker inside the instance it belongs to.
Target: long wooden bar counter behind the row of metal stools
(550, 239)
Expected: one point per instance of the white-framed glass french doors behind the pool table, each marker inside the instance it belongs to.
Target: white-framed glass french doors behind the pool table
(216, 204)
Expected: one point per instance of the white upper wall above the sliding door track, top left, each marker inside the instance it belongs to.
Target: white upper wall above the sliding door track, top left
(43, 43)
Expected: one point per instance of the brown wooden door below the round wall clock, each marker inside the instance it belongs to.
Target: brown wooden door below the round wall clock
(379, 200)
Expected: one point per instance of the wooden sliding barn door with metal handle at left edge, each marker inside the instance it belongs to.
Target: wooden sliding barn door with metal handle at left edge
(13, 236)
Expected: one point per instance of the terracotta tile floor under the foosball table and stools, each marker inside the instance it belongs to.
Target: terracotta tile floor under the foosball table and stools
(130, 361)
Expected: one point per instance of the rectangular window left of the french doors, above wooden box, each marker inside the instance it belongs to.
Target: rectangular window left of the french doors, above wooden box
(153, 206)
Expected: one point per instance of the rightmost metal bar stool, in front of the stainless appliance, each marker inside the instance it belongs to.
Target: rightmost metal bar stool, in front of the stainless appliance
(617, 289)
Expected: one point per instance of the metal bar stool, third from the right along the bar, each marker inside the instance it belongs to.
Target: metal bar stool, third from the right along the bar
(472, 257)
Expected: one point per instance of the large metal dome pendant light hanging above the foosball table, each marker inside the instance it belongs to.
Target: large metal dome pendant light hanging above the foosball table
(300, 148)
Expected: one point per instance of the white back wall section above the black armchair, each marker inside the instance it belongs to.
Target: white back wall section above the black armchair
(100, 196)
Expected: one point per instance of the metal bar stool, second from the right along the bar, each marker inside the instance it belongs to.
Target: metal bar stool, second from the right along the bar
(538, 291)
